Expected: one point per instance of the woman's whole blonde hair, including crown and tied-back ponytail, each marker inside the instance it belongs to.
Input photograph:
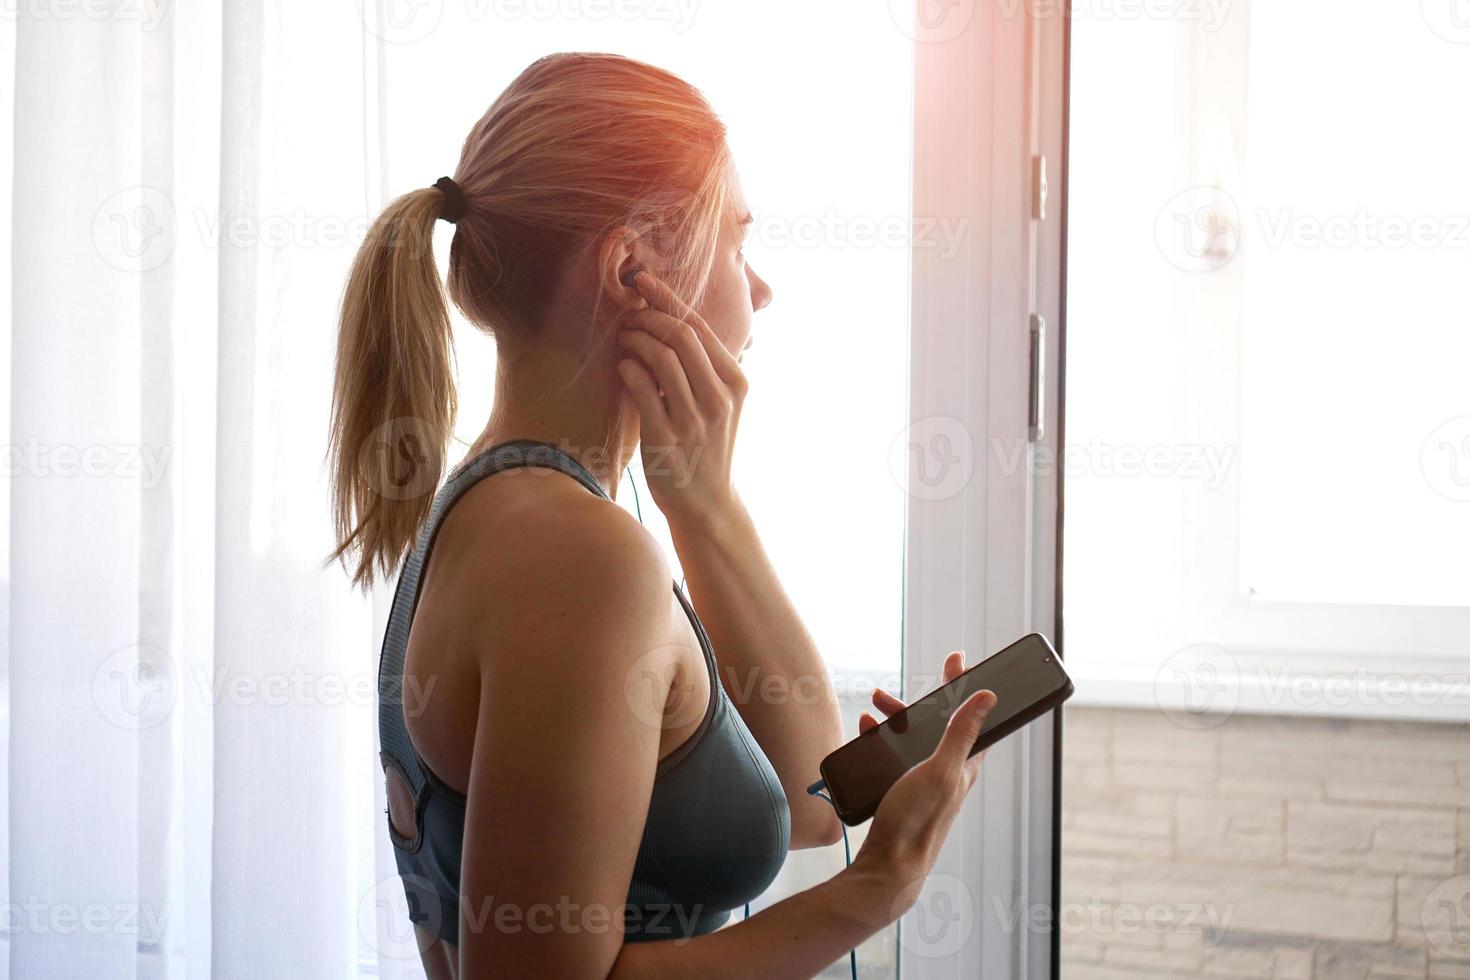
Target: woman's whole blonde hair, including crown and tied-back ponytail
(577, 146)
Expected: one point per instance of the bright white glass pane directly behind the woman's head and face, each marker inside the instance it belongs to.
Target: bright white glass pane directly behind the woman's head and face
(824, 155)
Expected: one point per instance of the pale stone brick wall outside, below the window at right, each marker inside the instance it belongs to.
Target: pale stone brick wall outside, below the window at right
(1265, 847)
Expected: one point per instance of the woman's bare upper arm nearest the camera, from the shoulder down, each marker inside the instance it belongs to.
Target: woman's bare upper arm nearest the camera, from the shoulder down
(565, 753)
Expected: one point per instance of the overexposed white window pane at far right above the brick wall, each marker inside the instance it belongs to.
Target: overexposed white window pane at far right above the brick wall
(1356, 477)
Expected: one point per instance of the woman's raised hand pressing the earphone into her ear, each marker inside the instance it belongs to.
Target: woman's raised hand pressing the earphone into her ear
(689, 430)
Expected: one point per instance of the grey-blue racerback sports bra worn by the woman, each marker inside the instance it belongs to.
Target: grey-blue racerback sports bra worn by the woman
(718, 826)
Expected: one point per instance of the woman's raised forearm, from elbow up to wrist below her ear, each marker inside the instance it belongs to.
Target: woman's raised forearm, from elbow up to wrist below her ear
(770, 663)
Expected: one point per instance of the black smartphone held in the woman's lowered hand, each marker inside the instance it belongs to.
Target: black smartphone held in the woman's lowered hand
(1028, 681)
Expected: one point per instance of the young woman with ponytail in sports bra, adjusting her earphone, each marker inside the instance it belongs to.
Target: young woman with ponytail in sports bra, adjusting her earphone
(570, 777)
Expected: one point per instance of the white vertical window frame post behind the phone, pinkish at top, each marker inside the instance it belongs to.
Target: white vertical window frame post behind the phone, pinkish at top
(983, 561)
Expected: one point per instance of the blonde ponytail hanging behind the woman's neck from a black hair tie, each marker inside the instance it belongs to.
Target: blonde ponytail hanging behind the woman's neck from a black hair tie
(393, 399)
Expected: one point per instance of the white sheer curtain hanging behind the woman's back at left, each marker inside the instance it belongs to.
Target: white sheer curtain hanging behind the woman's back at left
(192, 785)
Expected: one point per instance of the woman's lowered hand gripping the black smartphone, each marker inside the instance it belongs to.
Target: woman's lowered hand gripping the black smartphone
(915, 816)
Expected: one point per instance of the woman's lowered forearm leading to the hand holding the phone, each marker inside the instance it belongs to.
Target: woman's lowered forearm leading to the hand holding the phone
(795, 940)
